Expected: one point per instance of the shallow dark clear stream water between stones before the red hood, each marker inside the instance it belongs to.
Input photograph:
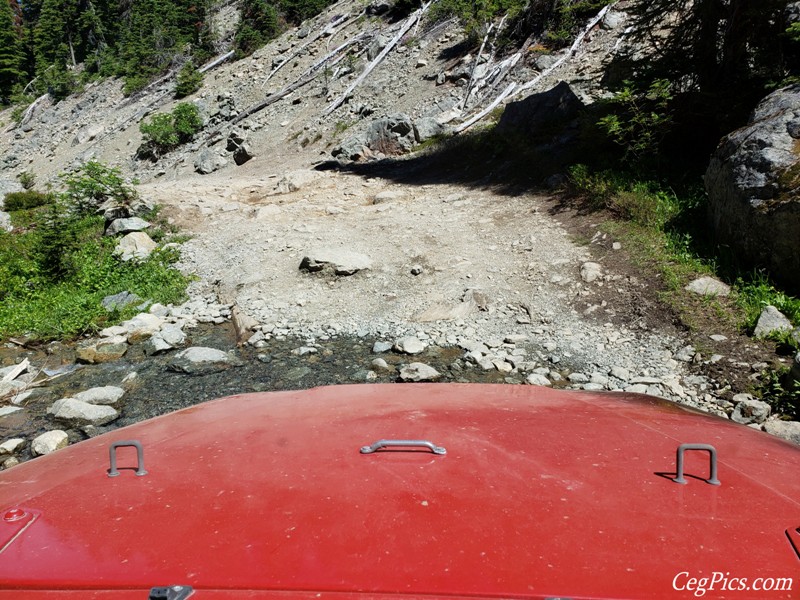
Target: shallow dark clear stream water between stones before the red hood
(154, 390)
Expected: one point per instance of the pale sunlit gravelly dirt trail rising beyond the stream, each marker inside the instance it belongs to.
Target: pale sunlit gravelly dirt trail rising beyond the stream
(429, 246)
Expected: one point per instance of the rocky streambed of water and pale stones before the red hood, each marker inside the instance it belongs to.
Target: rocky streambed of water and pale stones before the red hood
(174, 357)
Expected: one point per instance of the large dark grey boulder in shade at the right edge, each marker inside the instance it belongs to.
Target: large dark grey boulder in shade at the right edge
(753, 182)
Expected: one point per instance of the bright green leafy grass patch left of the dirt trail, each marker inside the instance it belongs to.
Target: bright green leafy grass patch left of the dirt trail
(56, 267)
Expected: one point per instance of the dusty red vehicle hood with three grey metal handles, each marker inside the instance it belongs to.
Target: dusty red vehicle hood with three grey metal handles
(541, 493)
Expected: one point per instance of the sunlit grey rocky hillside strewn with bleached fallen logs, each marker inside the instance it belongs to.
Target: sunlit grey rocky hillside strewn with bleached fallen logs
(418, 69)
